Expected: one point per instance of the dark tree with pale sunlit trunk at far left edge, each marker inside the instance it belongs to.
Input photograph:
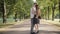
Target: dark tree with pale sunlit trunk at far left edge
(3, 10)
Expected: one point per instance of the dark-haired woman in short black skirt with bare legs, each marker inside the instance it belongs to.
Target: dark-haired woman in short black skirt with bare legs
(36, 19)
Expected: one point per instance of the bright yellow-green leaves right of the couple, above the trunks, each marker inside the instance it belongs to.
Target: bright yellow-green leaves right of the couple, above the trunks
(43, 4)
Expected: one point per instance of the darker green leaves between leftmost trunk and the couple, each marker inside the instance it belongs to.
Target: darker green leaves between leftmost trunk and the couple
(19, 6)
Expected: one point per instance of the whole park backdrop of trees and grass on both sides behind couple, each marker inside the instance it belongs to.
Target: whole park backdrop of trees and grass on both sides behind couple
(12, 11)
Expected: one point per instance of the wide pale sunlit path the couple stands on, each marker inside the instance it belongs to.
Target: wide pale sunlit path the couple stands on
(24, 28)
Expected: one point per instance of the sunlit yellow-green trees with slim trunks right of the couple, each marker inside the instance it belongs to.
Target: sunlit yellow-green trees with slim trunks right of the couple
(49, 8)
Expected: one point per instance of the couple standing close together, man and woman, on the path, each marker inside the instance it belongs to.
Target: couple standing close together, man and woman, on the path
(35, 16)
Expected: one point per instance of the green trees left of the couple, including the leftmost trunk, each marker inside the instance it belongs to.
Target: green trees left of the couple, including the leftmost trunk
(15, 8)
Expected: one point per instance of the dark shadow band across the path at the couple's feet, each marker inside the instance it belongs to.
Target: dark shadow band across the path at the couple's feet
(28, 32)
